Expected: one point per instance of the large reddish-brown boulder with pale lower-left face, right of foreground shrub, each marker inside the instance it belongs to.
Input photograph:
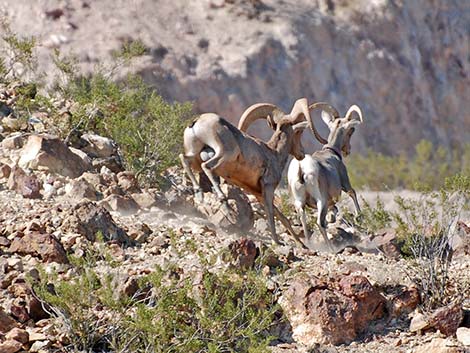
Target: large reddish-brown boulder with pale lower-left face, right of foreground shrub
(332, 312)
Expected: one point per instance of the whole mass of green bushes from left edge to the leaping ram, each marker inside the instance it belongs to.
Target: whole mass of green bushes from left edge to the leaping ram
(147, 129)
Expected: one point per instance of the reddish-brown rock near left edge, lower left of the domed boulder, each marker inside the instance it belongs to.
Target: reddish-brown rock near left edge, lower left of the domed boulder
(44, 245)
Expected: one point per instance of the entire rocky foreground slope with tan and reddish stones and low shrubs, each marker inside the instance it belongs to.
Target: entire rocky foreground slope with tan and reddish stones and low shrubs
(90, 261)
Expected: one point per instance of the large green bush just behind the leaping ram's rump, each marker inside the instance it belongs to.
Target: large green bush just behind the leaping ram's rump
(147, 129)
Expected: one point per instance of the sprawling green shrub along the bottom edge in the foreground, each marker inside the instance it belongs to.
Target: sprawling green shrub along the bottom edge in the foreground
(227, 311)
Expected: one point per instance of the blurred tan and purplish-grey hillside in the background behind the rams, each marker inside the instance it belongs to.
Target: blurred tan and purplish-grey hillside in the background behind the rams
(404, 62)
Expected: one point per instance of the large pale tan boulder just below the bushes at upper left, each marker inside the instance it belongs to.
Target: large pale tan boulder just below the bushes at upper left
(45, 152)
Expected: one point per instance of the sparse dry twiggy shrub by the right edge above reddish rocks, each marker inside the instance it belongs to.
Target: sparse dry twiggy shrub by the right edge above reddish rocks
(426, 227)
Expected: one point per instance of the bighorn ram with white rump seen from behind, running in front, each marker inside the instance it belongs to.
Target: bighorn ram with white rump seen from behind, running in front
(318, 179)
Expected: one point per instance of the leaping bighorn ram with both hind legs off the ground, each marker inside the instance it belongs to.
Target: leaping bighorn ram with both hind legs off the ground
(216, 147)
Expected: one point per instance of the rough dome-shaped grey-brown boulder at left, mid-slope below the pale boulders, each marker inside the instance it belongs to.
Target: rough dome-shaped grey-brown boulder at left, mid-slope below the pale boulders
(89, 219)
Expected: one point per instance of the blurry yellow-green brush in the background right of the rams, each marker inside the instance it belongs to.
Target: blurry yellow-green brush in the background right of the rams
(427, 167)
